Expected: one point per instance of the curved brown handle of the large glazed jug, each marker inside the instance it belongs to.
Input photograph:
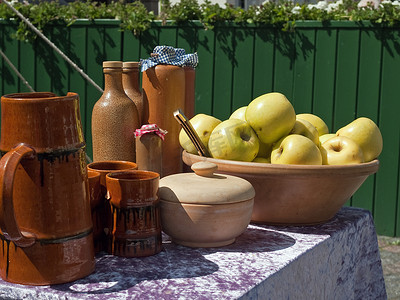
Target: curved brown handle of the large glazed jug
(8, 167)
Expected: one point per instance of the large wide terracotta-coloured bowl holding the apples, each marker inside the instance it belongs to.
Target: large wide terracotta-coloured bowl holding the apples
(295, 194)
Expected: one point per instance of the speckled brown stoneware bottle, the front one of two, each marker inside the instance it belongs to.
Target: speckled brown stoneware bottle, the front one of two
(114, 119)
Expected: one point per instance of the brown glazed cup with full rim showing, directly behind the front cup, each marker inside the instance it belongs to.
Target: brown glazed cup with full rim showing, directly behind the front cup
(101, 211)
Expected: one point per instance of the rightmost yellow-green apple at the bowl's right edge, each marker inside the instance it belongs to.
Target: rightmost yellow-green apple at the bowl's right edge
(366, 134)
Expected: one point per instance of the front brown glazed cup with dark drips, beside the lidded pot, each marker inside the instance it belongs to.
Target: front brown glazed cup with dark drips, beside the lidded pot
(136, 221)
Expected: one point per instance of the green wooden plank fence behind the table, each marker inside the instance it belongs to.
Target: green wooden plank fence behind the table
(339, 71)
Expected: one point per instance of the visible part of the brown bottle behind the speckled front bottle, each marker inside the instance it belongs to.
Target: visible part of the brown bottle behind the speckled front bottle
(130, 82)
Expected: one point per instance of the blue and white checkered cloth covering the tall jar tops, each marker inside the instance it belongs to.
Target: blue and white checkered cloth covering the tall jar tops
(169, 56)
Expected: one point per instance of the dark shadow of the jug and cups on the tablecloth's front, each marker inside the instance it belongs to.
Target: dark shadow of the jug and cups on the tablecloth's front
(114, 274)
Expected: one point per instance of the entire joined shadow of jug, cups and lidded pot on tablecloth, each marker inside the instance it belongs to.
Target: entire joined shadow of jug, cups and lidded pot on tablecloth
(114, 274)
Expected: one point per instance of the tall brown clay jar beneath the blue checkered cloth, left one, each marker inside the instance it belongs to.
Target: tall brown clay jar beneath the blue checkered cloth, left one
(164, 91)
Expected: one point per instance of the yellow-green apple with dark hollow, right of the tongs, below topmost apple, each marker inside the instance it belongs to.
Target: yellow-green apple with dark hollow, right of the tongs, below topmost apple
(233, 139)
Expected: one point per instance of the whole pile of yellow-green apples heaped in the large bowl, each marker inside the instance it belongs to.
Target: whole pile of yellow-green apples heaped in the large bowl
(268, 130)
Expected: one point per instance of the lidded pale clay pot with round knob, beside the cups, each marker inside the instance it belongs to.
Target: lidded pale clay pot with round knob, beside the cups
(205, 209)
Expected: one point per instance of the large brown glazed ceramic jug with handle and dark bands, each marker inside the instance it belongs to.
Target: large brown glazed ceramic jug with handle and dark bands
(46, 227)
